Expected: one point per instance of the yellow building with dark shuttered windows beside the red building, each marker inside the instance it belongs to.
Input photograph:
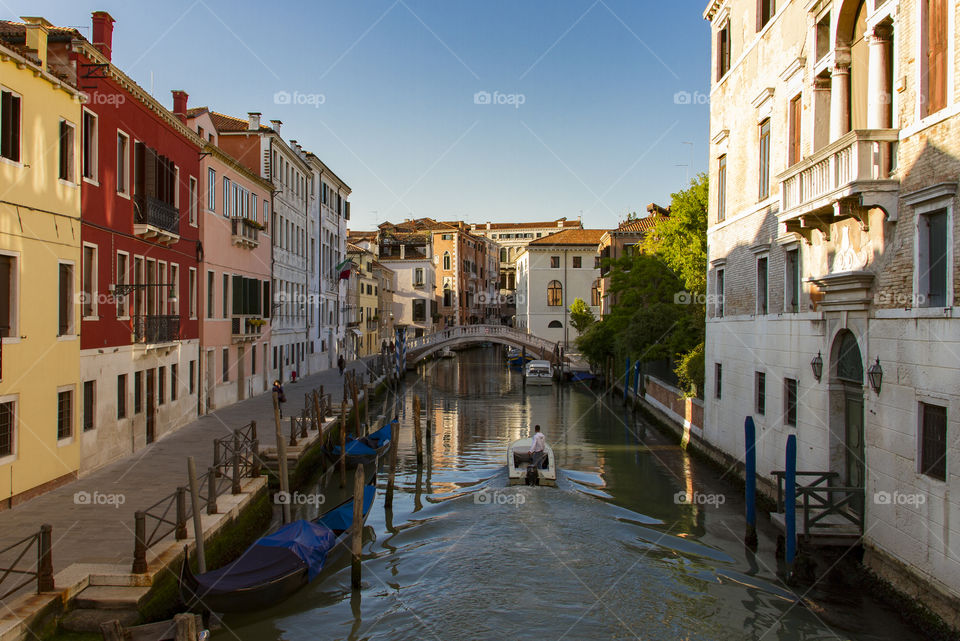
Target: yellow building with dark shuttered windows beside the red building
(40, 135)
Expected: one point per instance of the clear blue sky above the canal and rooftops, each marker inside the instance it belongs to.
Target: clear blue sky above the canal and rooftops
(598, 131)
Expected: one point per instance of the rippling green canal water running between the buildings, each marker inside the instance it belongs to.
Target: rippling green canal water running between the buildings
(638, 541)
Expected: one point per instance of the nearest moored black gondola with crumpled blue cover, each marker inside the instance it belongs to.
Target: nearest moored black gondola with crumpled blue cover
(275, 566)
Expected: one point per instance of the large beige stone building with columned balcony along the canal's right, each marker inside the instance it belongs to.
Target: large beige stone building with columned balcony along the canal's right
(834, 161)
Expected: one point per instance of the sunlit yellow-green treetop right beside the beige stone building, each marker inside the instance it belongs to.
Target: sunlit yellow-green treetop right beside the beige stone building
(680, 240)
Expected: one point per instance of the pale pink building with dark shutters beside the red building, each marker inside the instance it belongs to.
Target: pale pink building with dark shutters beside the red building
(235, 205)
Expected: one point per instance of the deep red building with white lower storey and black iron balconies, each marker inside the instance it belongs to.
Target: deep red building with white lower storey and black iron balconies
(141, 246)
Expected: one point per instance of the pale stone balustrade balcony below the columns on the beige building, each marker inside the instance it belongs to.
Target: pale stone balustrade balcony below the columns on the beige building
(845, 178)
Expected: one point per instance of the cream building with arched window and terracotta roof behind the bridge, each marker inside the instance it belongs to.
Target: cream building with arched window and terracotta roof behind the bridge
(552, 272)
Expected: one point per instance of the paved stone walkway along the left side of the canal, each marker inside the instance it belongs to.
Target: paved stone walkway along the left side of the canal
(100, 530)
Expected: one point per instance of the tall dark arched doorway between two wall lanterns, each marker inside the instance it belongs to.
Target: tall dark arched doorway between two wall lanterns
(846, 404)
